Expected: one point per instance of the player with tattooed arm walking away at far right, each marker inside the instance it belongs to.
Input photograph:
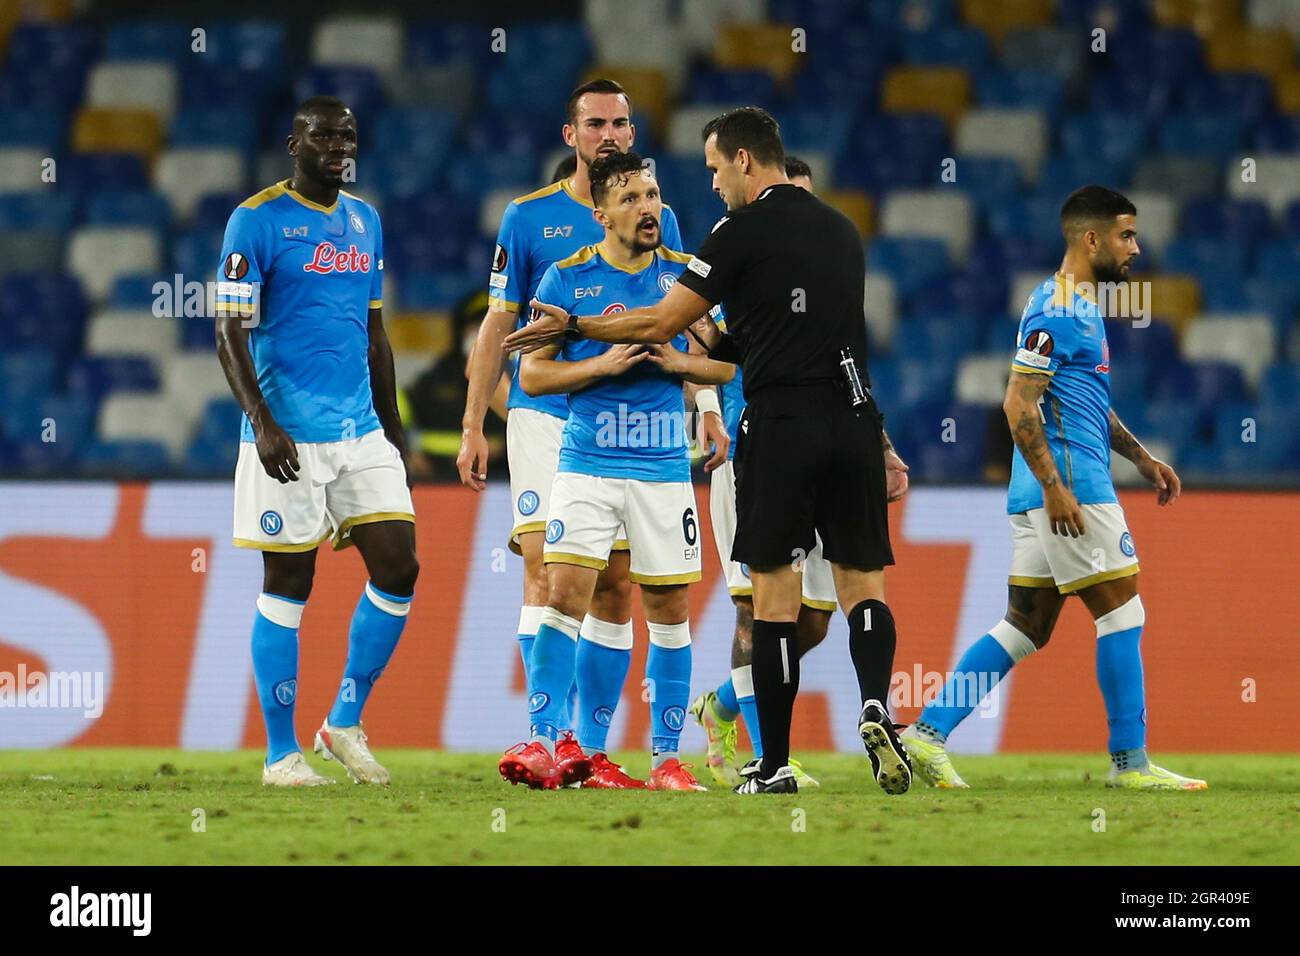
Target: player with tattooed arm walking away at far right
(1068, 530)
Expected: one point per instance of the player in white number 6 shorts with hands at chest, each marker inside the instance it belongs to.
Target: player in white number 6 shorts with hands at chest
(623, 464)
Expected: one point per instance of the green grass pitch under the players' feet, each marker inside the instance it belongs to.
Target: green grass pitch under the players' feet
(140, 807)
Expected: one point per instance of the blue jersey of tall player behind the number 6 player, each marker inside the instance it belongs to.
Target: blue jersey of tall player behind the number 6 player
(536, 232)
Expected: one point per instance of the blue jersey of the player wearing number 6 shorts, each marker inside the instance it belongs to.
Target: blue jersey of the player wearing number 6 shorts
(632, 426)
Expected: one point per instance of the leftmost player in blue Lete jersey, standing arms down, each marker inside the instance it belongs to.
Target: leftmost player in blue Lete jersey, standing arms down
(301, 339)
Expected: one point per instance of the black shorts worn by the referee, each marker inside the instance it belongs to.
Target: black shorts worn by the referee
(813, 466)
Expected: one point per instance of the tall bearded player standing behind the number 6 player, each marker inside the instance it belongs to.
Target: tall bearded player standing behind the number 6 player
(538, 231)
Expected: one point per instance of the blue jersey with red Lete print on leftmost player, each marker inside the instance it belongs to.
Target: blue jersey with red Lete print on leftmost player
(314, 274)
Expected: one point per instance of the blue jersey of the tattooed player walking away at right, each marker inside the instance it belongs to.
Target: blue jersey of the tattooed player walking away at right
(1063, 336)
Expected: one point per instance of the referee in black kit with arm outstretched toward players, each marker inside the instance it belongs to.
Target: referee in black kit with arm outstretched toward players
(812, 452)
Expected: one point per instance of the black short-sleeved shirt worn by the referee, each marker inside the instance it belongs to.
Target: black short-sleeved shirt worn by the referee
(790, 271)
